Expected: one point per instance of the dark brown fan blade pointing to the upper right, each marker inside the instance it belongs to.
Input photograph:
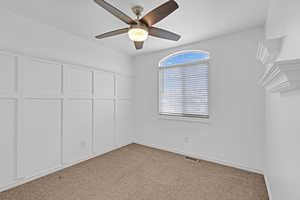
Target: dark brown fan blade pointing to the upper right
(159, 13)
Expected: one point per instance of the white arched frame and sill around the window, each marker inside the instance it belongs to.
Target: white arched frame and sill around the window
(184, 117)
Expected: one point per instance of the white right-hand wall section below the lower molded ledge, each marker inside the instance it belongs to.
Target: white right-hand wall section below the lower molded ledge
(282, 145)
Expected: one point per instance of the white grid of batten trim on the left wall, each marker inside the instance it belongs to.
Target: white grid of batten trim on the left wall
(19, 97)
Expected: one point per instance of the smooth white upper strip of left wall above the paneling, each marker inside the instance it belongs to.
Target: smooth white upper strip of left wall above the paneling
(32, 38)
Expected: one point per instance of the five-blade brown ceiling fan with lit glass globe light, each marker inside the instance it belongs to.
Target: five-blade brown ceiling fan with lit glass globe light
(140, 28)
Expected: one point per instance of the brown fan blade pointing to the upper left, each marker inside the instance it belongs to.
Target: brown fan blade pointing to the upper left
(116, 12)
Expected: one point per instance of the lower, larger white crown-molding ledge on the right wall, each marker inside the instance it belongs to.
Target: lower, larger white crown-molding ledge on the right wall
(282, 76)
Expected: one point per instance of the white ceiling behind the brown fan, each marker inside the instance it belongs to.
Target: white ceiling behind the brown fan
(194, 20)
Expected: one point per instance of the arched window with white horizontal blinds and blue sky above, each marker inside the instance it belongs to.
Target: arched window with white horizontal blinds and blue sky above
(183, 84)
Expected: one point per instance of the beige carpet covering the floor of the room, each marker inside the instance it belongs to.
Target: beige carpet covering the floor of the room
(136, 172)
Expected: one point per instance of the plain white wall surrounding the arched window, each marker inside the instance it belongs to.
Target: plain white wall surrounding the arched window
(234, 134)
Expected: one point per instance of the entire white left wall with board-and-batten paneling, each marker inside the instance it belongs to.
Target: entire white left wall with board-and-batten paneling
(55, 113)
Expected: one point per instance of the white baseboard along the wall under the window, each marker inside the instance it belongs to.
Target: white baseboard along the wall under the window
(206, 158)
